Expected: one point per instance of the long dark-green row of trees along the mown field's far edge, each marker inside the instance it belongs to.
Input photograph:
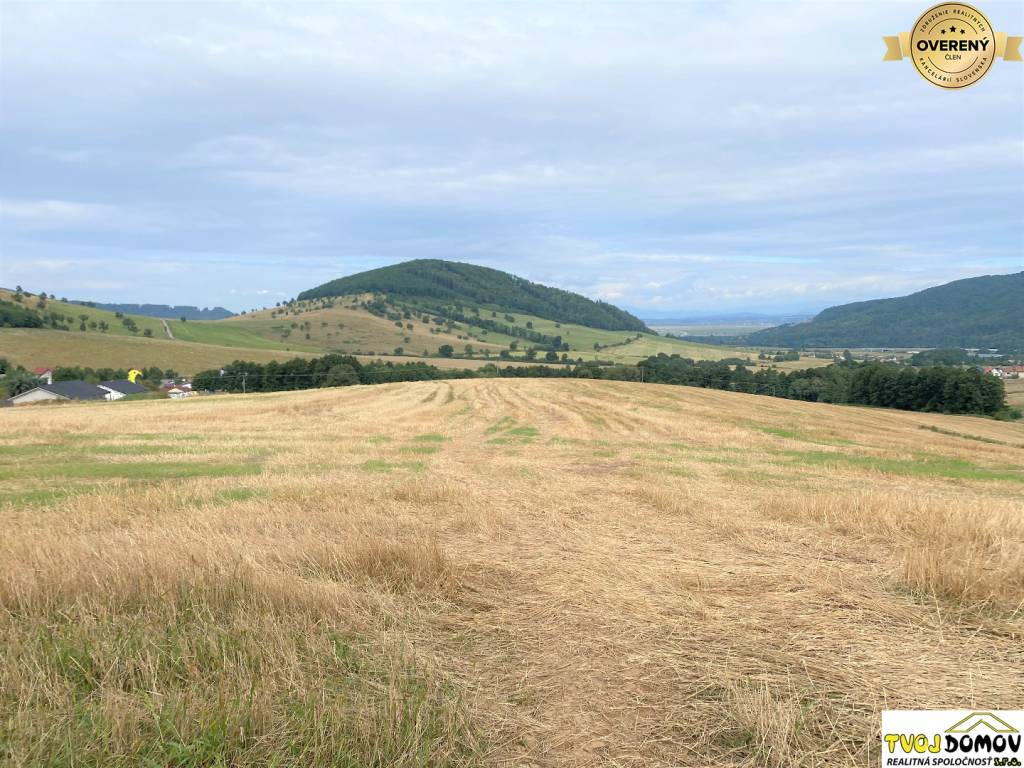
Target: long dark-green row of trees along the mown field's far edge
(943, 390)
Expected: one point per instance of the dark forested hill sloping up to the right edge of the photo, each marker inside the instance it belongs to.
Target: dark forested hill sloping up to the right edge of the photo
(986, 312)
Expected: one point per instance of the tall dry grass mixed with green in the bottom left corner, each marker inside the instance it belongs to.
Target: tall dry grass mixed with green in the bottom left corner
(199, 692)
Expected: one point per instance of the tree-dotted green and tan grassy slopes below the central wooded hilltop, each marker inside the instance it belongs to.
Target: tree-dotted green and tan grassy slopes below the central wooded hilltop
(60, 333)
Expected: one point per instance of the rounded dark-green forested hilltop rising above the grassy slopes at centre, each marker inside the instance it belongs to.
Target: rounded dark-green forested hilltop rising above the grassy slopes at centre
(452, 282)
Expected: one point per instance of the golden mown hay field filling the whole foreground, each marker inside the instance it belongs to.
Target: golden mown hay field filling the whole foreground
(500, 573)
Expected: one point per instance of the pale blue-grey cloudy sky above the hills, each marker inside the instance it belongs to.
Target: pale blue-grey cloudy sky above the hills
(672, 158)
